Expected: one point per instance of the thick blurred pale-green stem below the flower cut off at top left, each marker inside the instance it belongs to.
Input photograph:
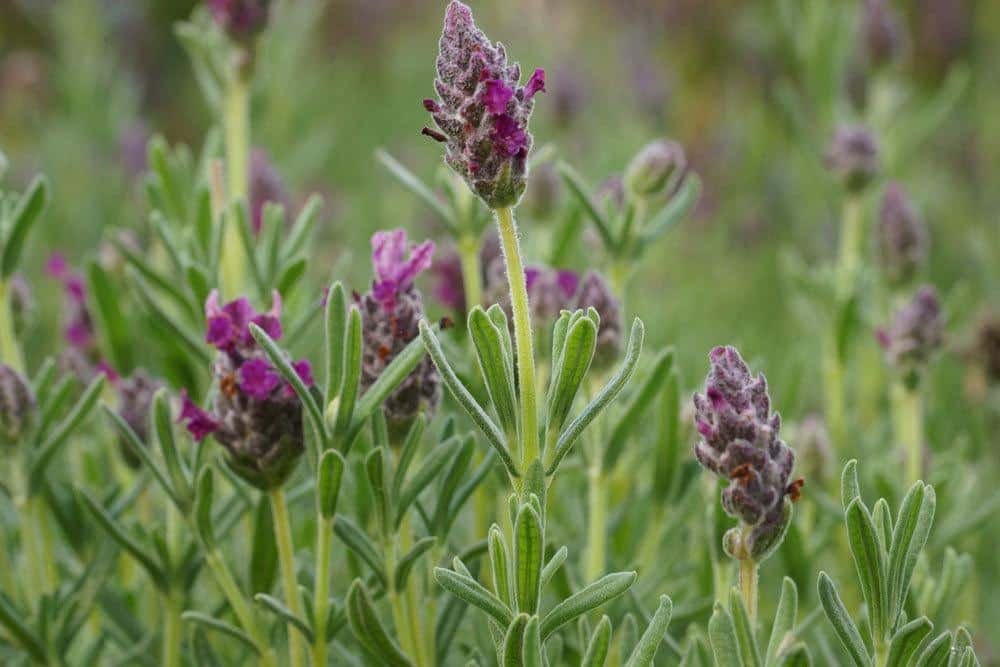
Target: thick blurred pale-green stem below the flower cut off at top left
(236, 127)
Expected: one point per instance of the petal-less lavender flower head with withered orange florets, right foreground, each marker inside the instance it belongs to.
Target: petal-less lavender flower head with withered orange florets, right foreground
(740, 443)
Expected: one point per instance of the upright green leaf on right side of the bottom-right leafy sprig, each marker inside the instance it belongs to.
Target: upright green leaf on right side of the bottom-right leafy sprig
(913, 527)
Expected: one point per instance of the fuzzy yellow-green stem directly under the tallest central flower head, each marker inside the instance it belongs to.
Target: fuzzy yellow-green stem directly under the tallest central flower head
(522, 335)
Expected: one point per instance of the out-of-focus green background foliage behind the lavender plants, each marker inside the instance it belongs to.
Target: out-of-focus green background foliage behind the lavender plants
(752, 89)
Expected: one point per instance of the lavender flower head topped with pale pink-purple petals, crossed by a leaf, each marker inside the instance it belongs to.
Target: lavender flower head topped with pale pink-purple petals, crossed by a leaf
(390, 315)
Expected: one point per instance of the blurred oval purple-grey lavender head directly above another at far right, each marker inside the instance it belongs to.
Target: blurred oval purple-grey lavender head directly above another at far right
(902, 238)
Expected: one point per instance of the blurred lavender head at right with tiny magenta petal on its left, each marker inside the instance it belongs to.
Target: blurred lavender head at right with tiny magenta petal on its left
(916, 333)
